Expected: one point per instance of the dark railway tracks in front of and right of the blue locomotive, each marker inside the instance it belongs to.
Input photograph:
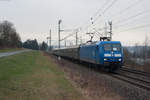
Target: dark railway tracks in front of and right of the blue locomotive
(134, 77)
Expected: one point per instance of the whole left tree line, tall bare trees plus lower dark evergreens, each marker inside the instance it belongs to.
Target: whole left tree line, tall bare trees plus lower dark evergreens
(9, 38)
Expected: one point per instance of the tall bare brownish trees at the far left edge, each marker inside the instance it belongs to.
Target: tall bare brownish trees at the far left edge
(8, 35)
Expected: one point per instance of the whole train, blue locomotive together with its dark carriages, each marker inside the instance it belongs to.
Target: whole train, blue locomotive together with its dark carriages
(104, 54)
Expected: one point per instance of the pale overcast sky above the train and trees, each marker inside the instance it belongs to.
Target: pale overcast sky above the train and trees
(34, 18)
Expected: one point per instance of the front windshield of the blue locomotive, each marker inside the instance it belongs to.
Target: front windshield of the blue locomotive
(112, 47)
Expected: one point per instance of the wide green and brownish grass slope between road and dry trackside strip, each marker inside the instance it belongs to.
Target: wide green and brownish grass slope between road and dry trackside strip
(32, 76)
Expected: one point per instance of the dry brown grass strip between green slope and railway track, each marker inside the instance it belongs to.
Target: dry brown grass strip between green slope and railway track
(86, 81)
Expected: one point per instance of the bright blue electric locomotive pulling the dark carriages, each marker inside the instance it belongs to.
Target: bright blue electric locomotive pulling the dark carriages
(107, 54)
